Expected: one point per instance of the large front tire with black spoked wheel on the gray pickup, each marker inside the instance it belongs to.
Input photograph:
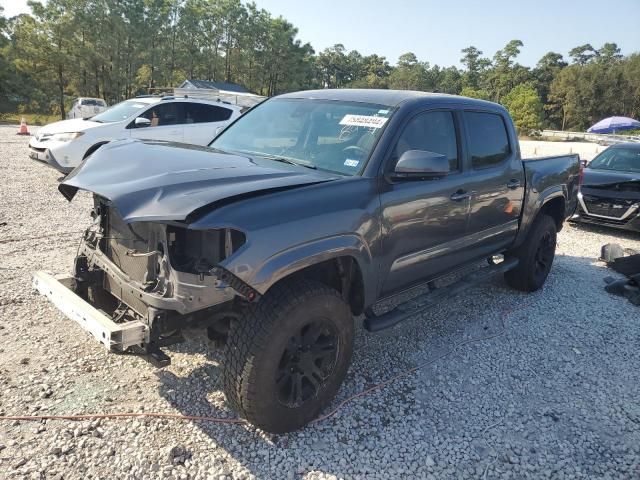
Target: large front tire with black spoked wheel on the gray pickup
(286, 359)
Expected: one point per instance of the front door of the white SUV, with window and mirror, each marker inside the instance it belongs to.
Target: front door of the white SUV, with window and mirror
(167, 123)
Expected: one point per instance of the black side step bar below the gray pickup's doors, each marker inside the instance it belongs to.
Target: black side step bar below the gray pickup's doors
(375, 323)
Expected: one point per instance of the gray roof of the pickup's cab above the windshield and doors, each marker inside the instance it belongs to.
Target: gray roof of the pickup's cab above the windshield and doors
(391, 98)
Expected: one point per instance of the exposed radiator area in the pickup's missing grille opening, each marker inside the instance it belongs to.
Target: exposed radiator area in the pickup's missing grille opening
(125, 241)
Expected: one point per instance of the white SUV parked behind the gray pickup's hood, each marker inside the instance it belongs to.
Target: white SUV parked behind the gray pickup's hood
(64, 144)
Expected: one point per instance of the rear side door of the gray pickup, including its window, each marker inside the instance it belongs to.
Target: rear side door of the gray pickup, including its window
(497, 183)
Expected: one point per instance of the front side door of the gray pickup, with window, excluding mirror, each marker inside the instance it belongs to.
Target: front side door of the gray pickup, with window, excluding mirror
(423, 219)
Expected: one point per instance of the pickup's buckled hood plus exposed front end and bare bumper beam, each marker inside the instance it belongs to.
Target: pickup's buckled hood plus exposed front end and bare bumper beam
(143, 262)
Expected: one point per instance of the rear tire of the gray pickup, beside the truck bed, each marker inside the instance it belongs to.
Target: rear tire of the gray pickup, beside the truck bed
(535, 256)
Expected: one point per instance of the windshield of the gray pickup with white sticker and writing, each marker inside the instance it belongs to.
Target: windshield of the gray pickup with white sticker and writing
(328, 135)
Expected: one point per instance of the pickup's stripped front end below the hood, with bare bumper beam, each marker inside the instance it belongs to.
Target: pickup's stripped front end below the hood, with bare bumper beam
(156, 276)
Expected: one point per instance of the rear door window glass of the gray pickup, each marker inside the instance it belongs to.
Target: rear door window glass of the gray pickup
(488, 139)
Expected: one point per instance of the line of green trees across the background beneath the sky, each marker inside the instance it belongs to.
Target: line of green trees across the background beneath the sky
(116, 49)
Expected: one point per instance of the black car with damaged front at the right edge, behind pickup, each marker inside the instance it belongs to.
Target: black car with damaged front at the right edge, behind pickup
(610, 194)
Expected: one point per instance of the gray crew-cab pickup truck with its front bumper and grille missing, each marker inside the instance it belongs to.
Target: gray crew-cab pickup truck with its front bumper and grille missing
(303, 214)
